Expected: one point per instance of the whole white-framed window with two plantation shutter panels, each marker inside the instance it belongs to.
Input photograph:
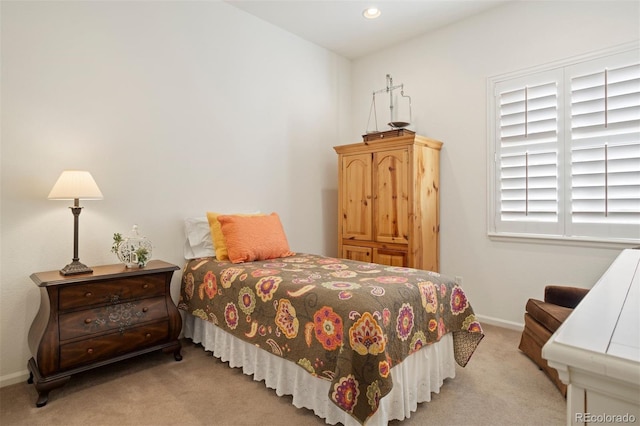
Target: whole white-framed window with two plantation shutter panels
(564, 144)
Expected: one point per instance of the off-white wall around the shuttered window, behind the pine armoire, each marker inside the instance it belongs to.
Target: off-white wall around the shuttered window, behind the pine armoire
(445, 72)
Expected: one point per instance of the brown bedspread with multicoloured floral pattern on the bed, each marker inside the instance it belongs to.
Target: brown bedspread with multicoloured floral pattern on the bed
(344, 321)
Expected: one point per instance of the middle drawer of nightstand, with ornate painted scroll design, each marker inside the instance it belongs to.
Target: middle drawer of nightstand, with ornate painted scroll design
(111, 317)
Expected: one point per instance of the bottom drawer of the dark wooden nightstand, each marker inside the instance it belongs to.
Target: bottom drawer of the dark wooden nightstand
(110, 345)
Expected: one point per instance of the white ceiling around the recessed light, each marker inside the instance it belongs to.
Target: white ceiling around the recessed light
(338, 25)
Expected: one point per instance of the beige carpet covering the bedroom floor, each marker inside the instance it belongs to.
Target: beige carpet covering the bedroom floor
(499, 386)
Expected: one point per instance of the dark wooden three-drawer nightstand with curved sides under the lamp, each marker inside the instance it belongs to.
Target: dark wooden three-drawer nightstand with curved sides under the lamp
(90, 320)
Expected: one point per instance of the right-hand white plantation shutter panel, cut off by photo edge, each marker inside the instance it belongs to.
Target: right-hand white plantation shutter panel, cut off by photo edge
(605, 147)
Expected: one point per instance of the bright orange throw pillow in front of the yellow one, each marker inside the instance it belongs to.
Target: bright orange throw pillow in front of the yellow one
(250, 238)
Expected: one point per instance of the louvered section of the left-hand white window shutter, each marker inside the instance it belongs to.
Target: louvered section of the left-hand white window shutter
(529, 153)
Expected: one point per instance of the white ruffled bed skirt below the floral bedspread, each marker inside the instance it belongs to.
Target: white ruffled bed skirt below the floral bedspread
(414, 379)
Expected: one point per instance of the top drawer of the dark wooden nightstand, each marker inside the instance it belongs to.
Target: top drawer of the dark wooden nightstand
(113, 291)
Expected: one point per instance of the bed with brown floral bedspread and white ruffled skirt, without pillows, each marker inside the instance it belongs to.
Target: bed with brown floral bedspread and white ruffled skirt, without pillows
(356, 342)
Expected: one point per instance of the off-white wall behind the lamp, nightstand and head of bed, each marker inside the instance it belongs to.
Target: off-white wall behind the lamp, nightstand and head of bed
(176, 108)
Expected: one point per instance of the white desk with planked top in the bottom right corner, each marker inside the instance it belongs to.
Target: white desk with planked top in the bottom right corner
(597, 349)
